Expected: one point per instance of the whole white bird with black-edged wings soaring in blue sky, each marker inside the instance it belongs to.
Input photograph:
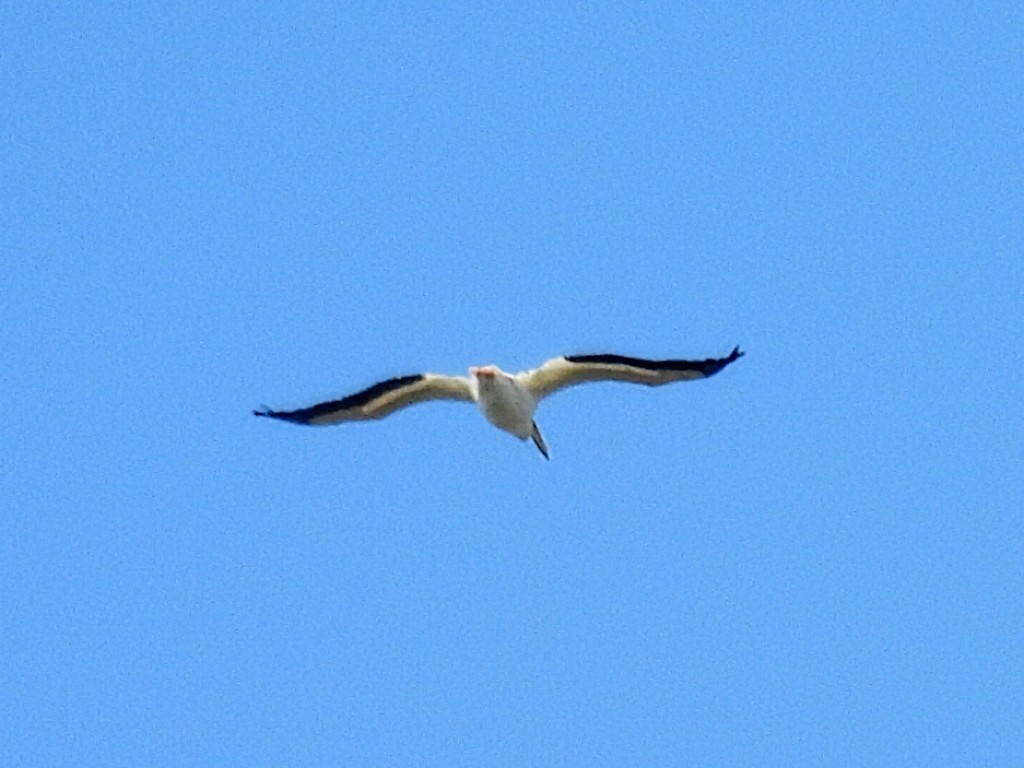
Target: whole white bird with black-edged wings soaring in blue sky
(507, 401)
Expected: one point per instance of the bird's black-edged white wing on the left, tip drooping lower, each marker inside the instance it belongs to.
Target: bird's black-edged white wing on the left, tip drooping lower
(379, 401)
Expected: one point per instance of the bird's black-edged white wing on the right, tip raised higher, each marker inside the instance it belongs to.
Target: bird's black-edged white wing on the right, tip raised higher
(572, 370)
